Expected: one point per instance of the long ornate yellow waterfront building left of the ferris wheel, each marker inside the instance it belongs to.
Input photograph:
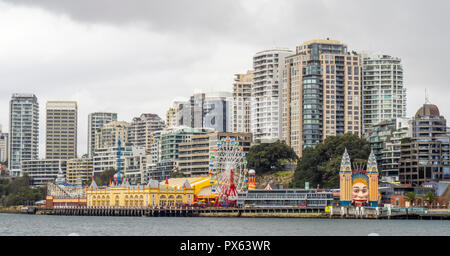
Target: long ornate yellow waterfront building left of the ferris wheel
(173, 192)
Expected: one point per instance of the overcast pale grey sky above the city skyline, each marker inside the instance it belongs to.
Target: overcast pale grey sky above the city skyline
(138, 56)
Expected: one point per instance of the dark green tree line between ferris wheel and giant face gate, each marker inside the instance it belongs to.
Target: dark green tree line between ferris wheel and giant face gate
(318, 165)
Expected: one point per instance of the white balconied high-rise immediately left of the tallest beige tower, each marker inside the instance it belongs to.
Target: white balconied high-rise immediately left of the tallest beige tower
(265, 103)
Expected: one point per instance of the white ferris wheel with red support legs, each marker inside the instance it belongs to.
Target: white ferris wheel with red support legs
(227, 171)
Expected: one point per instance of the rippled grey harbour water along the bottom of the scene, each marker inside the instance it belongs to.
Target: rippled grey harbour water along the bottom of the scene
(48, 225)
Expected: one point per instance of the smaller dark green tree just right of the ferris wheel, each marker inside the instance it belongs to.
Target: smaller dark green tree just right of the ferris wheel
(266, 157)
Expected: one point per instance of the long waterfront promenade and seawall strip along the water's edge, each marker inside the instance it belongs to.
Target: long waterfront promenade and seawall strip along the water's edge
(255, 212)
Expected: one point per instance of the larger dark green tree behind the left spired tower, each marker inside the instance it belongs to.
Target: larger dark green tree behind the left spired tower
(320, 165)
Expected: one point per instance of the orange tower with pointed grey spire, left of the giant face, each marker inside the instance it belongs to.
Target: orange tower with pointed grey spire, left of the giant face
(345, 174)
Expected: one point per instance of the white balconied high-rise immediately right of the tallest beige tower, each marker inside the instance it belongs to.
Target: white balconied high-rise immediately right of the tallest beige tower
(383, 93)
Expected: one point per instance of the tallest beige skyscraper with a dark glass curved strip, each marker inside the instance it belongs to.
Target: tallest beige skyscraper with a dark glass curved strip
(321, 94)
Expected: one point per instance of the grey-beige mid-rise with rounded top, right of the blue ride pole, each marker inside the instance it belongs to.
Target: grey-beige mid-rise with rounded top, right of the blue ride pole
(140, 131)
